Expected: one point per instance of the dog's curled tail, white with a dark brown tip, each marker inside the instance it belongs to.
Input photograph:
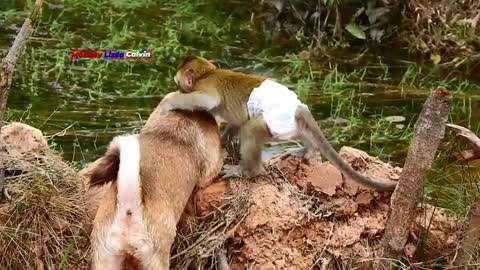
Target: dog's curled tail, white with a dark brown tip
(120, 162)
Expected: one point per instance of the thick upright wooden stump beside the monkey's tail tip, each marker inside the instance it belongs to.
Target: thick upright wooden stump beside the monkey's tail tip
(429, 131)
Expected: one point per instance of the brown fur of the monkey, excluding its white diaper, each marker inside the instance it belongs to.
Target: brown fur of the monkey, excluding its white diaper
(225, 94)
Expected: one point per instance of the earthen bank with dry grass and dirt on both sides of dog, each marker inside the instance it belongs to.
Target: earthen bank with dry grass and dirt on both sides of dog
(298, 216)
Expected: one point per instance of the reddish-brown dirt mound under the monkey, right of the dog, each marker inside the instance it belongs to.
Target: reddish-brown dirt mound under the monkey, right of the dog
(301, 216)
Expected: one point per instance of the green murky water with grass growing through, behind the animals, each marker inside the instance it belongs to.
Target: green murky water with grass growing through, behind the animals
(81, 105)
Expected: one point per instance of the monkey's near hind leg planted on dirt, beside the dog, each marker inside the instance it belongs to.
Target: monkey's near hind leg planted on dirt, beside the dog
(253, 134)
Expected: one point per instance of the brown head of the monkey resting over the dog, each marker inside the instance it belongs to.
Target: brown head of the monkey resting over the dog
(191, 70)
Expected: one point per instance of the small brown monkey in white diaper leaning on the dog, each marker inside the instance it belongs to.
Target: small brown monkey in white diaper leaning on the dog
(260, 109)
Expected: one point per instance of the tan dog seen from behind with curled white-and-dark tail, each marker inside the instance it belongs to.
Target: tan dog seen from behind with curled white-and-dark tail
(150, 177)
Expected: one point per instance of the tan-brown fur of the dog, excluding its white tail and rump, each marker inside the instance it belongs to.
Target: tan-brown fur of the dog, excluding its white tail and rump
(178, 151)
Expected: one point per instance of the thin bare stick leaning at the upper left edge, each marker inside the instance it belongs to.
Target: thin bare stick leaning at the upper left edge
(7, 68)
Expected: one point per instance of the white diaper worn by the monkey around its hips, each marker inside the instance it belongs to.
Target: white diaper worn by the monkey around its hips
(277, 104)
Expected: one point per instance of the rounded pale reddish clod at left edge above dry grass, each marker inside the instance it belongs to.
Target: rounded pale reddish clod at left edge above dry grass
(21, 139)
